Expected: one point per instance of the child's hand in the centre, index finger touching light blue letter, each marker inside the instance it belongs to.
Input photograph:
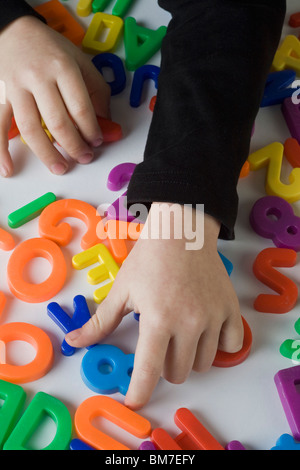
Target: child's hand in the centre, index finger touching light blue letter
(188, 309)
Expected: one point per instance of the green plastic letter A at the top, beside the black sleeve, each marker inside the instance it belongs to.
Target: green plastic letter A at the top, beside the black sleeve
(140, 43)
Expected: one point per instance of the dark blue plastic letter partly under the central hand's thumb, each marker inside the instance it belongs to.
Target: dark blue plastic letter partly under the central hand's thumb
(66, 323)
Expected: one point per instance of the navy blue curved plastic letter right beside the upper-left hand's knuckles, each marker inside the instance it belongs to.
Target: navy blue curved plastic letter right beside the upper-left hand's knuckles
(115, 63)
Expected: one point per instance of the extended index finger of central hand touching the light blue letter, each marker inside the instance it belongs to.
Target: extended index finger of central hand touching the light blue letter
(149, 360)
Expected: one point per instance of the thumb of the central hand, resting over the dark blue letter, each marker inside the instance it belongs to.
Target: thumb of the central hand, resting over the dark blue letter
(108, 316)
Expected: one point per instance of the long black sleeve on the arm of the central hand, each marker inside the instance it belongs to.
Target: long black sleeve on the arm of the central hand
(216, 56)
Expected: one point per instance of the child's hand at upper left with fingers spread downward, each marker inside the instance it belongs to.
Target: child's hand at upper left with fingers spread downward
(46, 75)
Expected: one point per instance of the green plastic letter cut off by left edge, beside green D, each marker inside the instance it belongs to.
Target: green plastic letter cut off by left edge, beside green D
(14, 399)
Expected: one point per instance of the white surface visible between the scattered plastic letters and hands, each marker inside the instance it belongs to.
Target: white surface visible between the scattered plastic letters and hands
(239, 403)
